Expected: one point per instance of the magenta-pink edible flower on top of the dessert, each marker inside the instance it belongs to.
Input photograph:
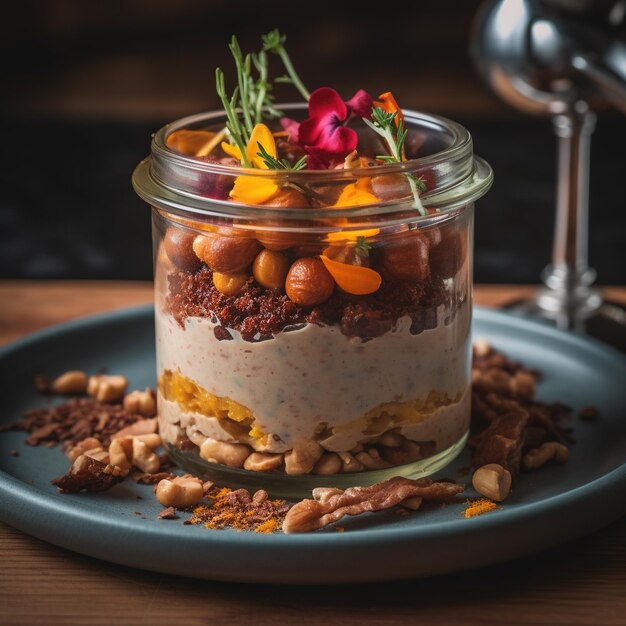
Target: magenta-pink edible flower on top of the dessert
(324, 134)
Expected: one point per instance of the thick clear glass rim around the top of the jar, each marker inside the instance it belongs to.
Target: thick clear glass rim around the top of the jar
(165, 178)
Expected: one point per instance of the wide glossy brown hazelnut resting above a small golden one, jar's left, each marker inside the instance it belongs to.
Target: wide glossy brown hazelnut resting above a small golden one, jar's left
(227, 255)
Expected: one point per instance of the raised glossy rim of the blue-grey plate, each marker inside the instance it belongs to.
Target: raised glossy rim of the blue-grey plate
(20, 496)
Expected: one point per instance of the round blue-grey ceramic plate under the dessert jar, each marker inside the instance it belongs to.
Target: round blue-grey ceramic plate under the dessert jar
(546, 508)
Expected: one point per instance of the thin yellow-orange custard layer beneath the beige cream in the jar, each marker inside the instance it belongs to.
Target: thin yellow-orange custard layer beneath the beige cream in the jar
(239, 421)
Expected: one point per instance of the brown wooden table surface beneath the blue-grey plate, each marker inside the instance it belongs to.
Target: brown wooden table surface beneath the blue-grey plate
(582, 582)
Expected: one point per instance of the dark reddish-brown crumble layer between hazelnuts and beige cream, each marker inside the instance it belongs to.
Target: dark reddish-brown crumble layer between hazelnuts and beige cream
(259, 313)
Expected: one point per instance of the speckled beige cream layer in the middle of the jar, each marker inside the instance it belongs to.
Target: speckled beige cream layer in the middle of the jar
(316, 375)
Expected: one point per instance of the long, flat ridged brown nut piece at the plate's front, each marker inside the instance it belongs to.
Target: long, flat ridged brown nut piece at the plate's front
(329, 507)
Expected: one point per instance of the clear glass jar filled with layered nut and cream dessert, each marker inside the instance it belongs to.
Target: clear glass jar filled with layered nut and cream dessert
(313, 335)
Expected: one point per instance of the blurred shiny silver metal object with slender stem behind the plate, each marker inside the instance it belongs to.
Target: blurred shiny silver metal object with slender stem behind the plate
(560, 58)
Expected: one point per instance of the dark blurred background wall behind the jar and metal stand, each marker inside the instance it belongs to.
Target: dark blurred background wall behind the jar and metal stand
(86, 83)
